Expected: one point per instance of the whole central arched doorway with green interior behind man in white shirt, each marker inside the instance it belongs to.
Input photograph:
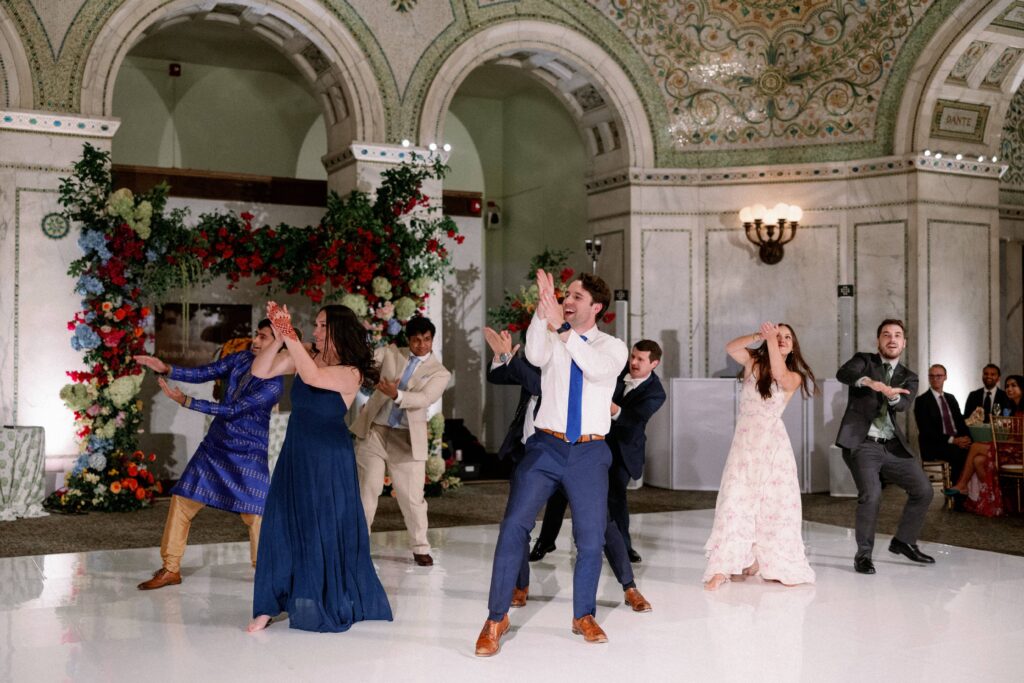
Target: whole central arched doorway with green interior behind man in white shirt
(531, 121)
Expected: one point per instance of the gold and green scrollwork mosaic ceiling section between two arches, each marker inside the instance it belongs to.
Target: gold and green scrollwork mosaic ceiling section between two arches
(769, 73)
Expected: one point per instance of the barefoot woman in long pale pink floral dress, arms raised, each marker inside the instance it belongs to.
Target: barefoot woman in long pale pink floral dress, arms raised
(758, 515)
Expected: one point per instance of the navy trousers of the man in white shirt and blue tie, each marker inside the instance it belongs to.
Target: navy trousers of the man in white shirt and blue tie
(582, 472)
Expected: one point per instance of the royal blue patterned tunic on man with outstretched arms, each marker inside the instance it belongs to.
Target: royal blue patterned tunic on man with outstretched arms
(229, 471)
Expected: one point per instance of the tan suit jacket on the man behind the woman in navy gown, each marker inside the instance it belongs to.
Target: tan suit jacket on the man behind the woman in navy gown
(425, 388)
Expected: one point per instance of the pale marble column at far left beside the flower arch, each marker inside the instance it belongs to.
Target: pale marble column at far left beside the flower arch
(37, 298)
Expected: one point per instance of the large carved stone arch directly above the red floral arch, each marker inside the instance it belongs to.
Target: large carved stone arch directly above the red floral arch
(320, 47)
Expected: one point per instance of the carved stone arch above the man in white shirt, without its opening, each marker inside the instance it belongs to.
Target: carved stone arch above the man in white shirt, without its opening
(593, 87)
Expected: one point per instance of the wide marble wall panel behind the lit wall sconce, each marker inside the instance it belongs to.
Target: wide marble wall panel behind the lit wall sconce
(741, 292)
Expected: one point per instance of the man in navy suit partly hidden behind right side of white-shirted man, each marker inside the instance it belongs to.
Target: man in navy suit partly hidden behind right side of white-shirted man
(638, 396)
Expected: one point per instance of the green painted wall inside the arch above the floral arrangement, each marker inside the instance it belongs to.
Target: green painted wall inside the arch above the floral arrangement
(218, 119)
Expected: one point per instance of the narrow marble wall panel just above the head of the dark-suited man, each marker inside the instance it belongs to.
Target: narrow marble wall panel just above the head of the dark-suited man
(666, 300)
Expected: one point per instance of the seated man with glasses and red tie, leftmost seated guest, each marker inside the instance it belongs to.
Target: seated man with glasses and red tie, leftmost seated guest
(943, 435)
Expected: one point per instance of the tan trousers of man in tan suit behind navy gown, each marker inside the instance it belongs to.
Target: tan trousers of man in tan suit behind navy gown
(388, 449)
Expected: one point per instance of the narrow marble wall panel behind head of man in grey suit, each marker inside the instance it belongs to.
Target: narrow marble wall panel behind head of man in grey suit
(880, 274)
